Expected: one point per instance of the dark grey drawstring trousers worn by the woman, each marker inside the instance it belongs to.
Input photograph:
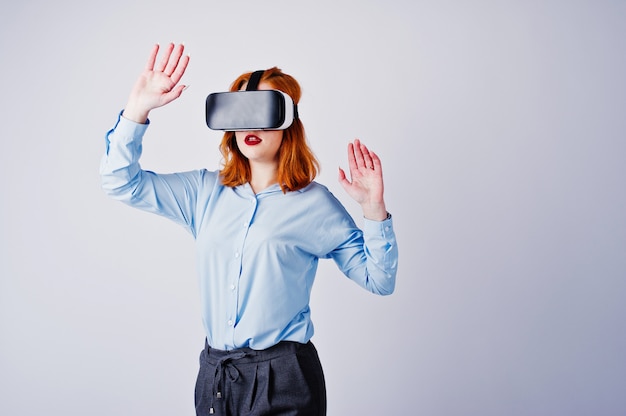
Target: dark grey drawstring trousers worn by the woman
(286, 379)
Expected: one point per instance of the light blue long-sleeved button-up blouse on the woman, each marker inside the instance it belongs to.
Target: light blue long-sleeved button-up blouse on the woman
(257, 254)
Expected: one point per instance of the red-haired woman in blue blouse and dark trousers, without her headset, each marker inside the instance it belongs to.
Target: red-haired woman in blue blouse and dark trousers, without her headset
(261, 224)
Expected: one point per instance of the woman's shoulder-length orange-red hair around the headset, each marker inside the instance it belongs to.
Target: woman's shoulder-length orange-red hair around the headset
(297, 165)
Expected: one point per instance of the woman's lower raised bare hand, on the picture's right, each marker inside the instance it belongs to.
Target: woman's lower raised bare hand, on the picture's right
(366, 181)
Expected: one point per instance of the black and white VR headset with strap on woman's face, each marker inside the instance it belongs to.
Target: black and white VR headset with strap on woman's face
(250, 109)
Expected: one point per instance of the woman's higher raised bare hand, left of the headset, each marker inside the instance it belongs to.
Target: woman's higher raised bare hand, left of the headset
(158, 84)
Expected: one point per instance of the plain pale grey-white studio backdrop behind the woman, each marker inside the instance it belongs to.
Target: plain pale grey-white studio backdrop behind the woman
(502, 133)
